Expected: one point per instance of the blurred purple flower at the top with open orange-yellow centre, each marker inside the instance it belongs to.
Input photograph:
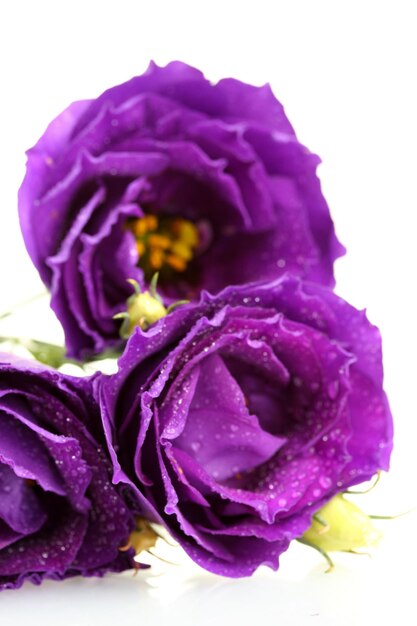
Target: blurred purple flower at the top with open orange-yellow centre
(206, 183)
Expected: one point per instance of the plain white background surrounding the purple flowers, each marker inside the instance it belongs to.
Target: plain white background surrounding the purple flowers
(346, 74)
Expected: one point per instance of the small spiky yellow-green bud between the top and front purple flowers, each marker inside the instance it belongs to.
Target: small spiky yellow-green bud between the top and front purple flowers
(144, 308)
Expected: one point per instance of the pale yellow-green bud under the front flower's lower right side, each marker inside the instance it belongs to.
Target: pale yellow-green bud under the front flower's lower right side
(340, 526)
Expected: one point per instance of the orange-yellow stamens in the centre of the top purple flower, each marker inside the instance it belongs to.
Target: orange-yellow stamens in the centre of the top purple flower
(164, 244)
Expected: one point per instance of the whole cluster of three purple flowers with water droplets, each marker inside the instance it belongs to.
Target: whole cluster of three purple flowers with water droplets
(248, 395)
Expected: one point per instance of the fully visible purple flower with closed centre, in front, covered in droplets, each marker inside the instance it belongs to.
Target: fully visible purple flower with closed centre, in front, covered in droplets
(237, 417)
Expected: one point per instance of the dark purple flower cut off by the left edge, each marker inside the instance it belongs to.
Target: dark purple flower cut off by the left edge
(60, 515)
